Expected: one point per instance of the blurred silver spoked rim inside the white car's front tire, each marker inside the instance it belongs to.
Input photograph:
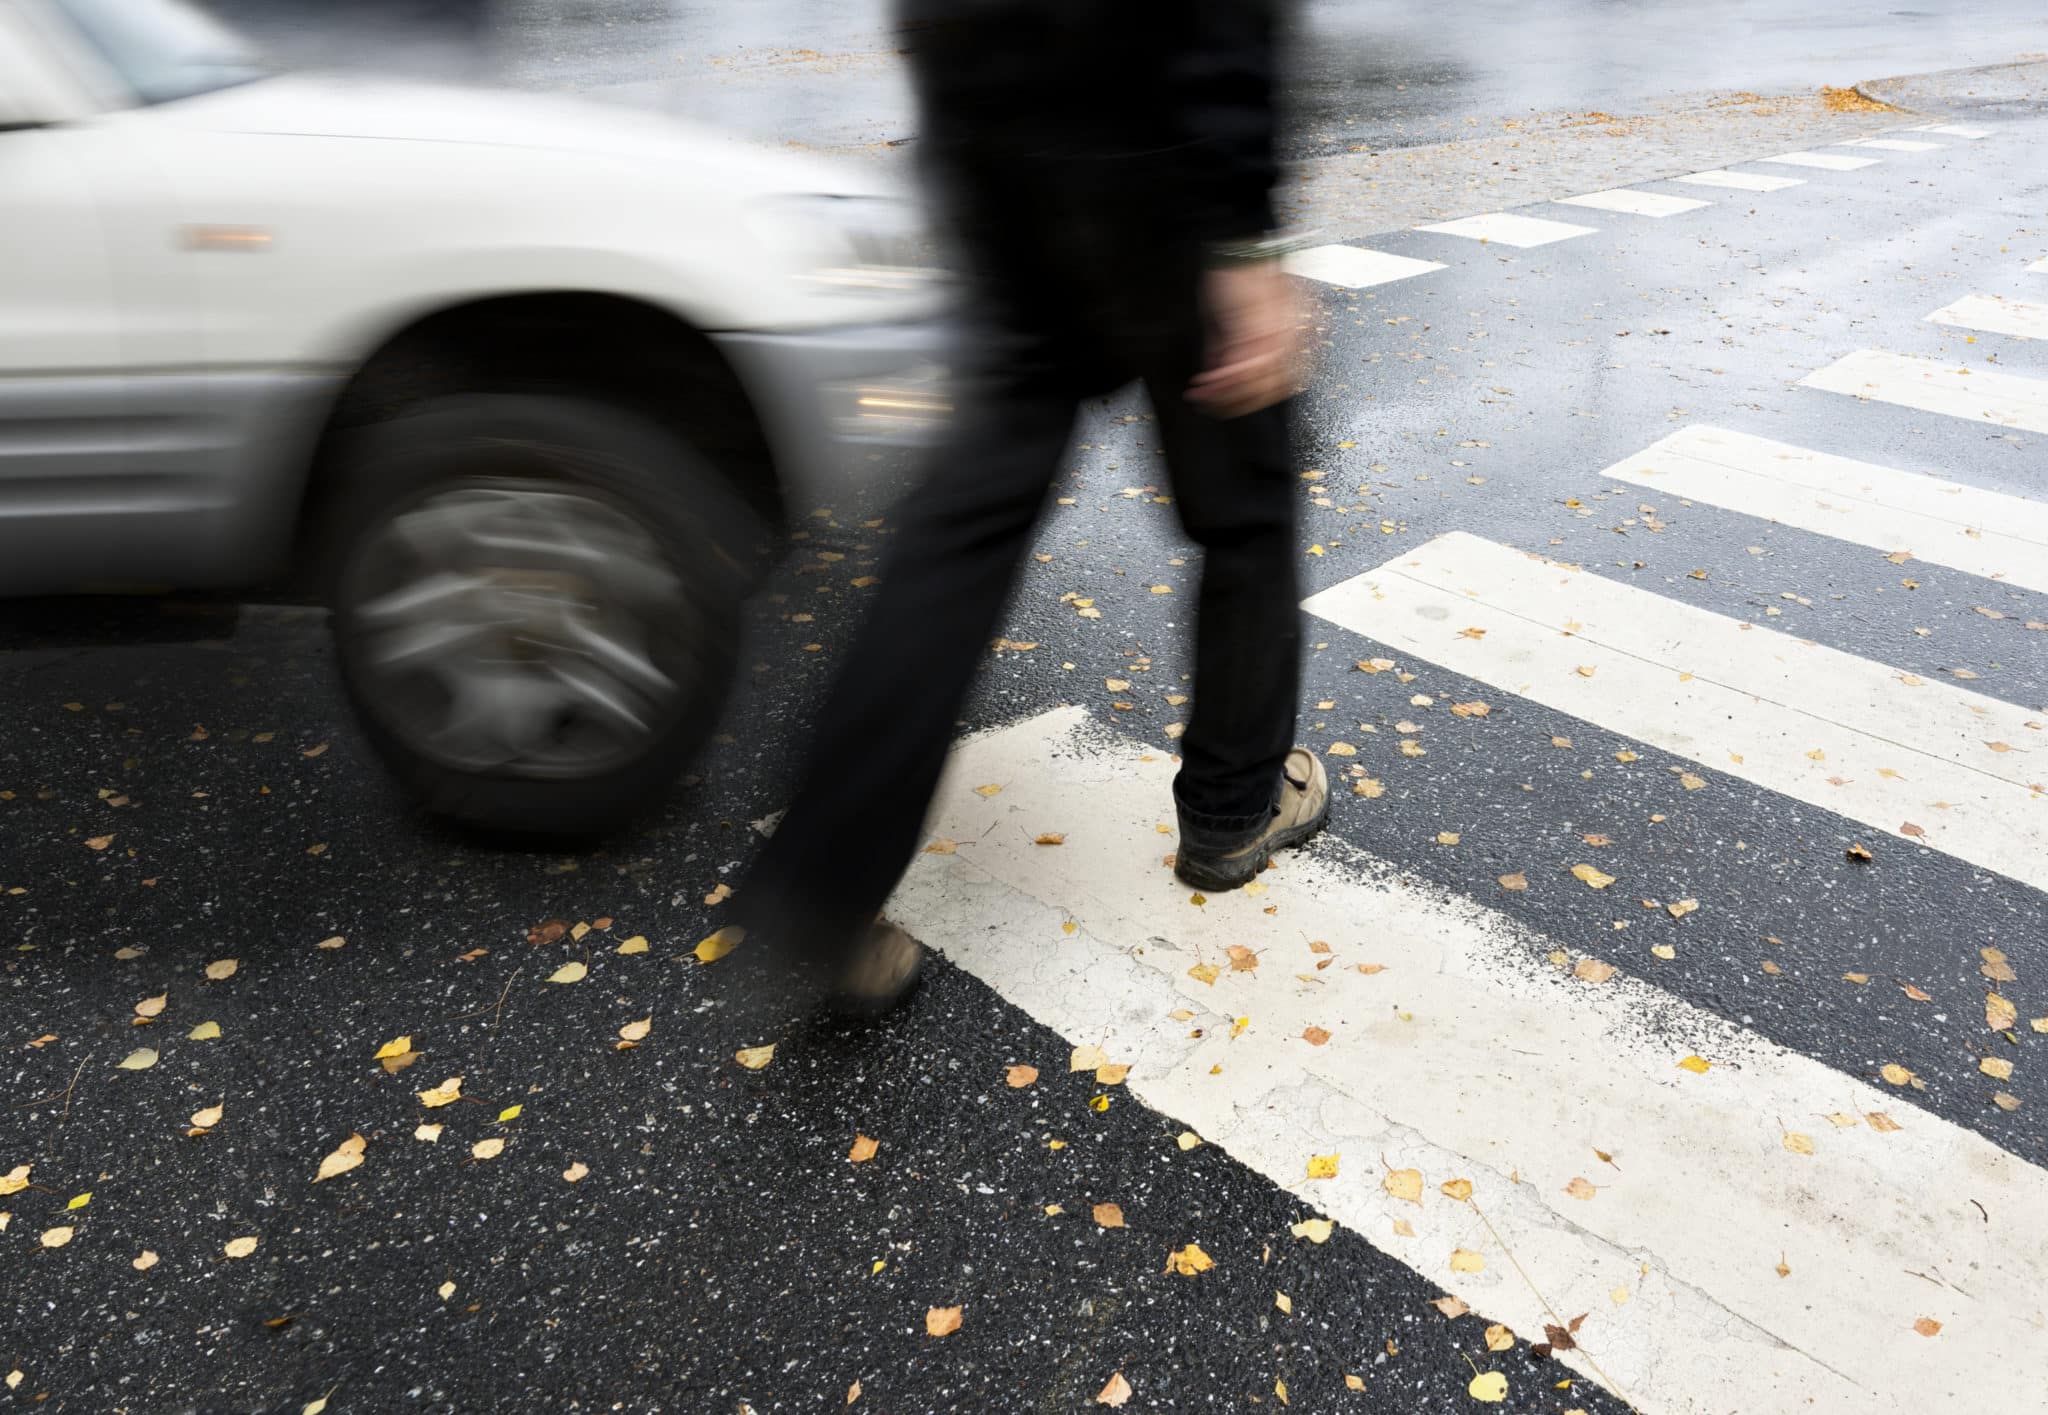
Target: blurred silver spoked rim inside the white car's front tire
(519, 628)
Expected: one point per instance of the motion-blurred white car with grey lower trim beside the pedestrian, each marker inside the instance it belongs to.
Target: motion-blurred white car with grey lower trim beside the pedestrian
(513, 384)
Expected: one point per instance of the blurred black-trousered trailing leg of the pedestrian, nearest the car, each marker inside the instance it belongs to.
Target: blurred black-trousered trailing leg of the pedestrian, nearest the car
(888, 724)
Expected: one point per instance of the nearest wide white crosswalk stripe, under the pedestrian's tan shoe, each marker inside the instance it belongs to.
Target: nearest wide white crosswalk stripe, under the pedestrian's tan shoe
(1471, 1058)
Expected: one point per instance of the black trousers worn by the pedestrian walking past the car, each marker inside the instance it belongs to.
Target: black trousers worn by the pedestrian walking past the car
(1068, 308)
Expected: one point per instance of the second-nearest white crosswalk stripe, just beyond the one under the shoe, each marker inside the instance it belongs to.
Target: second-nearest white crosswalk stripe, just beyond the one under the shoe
(1828, 728)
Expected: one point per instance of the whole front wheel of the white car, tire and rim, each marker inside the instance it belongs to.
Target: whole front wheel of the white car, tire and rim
(536, 607)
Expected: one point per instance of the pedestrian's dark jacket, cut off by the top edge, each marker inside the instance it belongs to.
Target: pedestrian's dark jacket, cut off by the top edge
(1164, 108)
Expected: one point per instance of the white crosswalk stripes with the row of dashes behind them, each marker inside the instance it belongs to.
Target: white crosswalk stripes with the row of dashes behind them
(1639, 1158)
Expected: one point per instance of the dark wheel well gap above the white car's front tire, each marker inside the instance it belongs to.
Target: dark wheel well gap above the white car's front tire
(605, 347)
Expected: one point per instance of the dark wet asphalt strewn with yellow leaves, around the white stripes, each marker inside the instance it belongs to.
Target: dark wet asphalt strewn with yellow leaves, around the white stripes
(718, 1250)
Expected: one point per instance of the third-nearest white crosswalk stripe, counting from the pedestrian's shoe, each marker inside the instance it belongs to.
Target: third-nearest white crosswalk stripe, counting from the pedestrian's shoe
(1940, 523)
